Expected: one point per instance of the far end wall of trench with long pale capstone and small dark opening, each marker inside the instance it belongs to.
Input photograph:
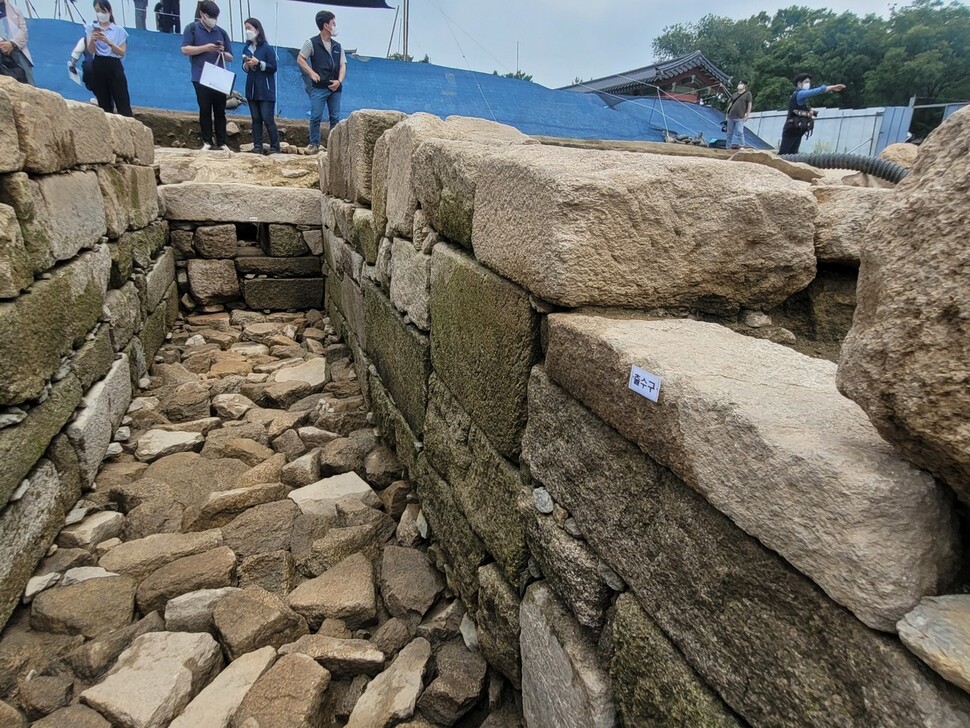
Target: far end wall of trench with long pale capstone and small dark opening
(245, 245)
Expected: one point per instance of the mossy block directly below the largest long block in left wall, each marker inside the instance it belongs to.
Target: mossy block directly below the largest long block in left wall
(22, 445)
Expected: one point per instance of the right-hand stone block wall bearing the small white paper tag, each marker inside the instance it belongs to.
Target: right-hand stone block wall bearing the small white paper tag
(738, 552)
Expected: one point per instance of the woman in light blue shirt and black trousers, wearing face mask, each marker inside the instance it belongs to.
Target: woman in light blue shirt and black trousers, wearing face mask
(108, 44)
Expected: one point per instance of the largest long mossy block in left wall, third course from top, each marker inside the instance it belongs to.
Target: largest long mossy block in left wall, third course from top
(40, 327)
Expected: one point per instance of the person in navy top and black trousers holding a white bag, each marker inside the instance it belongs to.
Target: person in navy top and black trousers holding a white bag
(205, 42)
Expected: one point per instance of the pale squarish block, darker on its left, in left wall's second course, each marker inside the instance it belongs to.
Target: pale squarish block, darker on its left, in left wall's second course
(59, 214)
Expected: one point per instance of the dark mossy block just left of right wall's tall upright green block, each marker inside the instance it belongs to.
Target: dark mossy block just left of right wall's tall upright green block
(401, 353)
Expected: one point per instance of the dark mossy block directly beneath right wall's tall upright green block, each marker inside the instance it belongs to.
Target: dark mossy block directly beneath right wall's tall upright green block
(487, 487)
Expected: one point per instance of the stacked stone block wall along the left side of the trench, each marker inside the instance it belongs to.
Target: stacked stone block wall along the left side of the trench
(87, 295)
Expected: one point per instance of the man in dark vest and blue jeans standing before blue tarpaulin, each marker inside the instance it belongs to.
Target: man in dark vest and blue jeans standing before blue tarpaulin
(323, 60)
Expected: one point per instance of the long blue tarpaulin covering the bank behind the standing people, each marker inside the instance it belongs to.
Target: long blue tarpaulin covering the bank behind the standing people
(158, 77)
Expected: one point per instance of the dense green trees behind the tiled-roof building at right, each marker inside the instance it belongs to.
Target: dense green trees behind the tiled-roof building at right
(922, 50)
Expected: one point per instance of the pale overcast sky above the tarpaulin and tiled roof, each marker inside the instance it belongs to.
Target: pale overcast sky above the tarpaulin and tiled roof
(556, 40)
